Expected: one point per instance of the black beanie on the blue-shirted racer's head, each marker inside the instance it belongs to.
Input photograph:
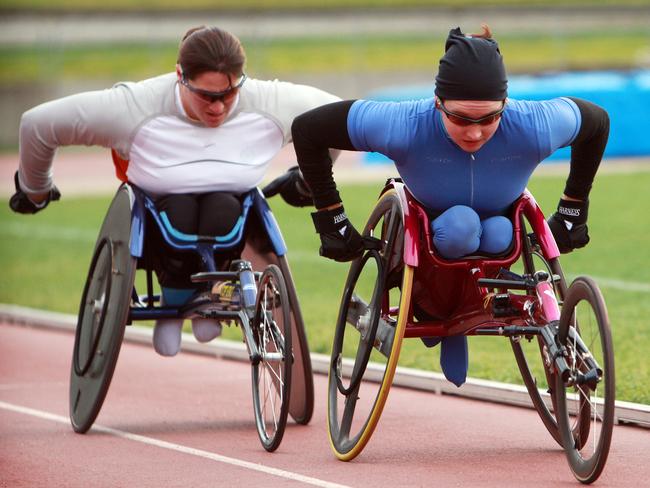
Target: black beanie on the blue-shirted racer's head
(471, 69)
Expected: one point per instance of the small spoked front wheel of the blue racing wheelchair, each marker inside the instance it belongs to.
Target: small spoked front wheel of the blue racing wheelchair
(272, 372)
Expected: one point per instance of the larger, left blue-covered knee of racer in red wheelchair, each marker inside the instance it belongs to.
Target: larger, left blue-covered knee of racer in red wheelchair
(457, 232)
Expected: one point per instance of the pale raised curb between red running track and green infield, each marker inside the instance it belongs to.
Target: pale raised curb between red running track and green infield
(491, 391)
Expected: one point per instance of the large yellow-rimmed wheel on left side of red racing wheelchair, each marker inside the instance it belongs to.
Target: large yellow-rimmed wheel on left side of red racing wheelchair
(369, 332)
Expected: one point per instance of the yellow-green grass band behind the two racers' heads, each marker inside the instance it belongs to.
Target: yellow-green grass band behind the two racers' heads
(283, 58)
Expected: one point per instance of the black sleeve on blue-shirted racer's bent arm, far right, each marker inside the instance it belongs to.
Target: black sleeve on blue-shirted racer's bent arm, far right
(587, 149)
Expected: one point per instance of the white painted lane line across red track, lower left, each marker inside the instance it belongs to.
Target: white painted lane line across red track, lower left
(177, 447)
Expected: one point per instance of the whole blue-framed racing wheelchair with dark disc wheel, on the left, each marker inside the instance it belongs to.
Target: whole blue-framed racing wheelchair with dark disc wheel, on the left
(261, 298)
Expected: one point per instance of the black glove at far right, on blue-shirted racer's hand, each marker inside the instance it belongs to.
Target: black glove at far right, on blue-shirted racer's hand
(569, 225)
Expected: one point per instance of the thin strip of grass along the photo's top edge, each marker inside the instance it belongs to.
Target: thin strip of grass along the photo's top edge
(126, 5)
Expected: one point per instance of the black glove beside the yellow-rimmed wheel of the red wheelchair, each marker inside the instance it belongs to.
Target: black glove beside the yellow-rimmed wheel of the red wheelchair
(339, 239)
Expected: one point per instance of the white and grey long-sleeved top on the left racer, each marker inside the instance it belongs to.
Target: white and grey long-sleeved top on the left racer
(146, 125)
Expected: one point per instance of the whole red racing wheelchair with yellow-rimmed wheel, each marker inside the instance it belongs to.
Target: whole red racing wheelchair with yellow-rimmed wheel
(559, 334)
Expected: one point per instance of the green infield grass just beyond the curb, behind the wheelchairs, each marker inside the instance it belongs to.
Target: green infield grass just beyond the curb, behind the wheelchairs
(44, 259)
